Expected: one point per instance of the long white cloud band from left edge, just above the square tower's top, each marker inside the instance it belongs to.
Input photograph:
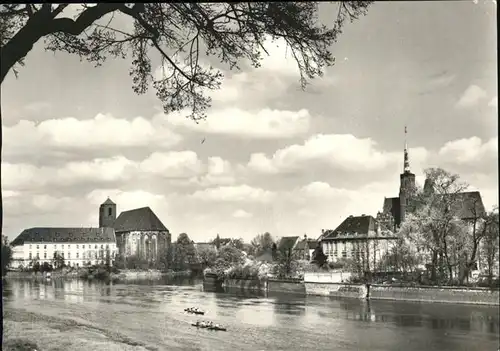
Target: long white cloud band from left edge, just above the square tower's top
(182, 165)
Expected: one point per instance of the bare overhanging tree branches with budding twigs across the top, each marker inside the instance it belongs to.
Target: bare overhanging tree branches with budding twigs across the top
(177, 32)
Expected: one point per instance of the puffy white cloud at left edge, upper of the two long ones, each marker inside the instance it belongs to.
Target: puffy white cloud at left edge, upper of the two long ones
(101, 132)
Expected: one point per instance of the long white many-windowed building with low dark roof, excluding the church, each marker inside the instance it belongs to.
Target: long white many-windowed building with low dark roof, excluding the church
(76, 246)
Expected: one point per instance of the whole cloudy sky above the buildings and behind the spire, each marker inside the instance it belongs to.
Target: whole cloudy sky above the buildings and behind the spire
(270, 156)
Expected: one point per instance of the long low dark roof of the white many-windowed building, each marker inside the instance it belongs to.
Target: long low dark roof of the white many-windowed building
(46, 234)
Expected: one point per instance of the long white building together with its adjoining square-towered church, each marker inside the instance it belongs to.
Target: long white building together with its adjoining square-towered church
(137, 232)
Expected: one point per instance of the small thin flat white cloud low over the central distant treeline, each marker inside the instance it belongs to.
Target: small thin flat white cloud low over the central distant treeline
(240, 193)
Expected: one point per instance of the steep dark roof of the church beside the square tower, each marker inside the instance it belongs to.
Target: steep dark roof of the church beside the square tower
(138, 219)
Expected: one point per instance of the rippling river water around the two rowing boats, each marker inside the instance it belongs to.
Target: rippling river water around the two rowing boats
(77, 315)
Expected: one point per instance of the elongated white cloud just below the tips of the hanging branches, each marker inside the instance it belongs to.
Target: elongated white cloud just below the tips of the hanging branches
(264, 124)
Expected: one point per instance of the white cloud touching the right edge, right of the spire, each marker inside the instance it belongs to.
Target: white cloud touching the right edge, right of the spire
(465, 151)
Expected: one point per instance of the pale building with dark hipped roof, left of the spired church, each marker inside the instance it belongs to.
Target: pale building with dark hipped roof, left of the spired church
(357, 237)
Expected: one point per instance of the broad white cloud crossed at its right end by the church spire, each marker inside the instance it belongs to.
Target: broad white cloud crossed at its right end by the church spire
(342, 151)
